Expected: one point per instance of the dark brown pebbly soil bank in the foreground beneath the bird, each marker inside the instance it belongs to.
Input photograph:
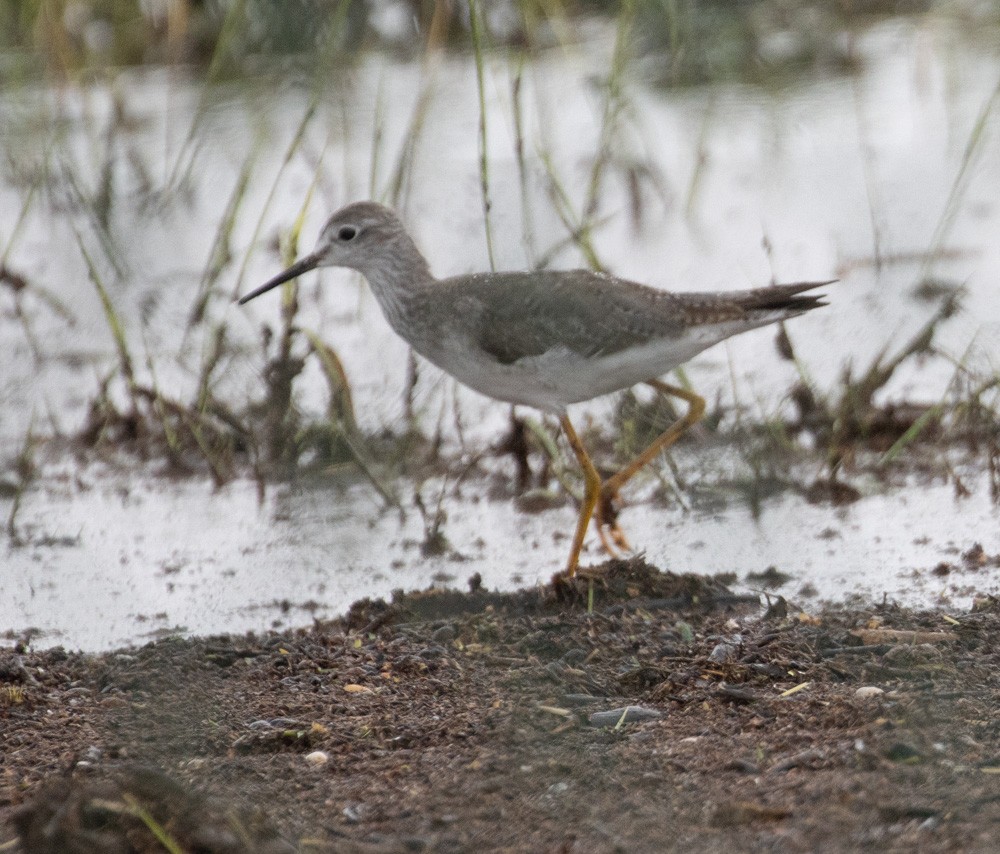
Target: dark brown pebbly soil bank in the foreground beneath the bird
(461, 722)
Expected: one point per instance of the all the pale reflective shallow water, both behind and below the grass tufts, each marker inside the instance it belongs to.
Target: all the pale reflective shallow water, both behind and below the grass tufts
(843, 177)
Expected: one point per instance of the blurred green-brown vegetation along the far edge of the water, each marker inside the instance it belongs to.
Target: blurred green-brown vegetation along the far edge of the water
(685, 41)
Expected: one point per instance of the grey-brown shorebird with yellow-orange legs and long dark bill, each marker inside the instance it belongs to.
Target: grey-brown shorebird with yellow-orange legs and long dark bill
(545, 338)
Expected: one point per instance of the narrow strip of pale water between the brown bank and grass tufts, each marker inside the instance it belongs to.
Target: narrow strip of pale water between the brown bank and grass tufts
(109, 561)
